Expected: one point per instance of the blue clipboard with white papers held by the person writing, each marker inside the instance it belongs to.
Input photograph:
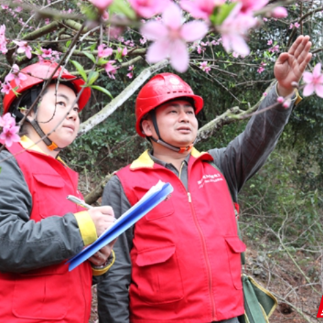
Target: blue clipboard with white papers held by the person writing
(152, 198)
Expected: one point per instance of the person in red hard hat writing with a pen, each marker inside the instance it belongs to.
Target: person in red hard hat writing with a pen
(39, 228)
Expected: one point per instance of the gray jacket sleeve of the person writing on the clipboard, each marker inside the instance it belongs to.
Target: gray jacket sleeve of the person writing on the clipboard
(26, 244)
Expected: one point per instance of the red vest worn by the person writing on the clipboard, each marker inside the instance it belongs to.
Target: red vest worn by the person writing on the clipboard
(50, 294)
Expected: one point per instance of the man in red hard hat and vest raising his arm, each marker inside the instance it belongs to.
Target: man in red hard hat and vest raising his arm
(181, 262)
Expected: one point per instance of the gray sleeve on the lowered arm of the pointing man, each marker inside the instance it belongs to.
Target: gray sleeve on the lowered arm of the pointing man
(113, 295)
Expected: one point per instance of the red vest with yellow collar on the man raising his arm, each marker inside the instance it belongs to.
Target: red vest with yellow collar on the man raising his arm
(185, 258)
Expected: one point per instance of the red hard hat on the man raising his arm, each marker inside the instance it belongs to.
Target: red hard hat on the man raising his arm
(160, 89)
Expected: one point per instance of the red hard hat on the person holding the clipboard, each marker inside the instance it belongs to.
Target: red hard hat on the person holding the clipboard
(37, 73)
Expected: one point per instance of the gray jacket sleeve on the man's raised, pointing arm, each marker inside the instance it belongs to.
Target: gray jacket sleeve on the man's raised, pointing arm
(247, 153)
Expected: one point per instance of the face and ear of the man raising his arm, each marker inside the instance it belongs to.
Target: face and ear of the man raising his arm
(176, 122)
